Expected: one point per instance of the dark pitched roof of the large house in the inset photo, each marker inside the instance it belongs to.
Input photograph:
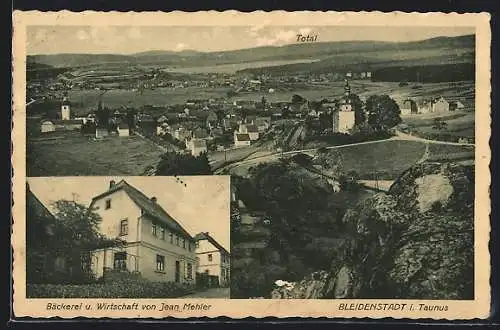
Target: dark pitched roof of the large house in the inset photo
(147, 205)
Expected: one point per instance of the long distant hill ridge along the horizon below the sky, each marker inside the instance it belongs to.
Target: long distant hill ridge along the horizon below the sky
(328, 51)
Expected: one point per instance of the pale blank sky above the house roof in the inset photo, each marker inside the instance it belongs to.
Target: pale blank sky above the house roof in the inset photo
(200, 206)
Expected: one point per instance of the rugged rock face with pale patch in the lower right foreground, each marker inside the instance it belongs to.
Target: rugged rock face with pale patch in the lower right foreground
(415, 242)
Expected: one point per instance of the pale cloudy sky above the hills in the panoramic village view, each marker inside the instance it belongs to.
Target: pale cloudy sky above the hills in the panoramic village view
(133, 39)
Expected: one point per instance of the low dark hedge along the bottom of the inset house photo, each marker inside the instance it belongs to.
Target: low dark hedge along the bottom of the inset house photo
(127, 288)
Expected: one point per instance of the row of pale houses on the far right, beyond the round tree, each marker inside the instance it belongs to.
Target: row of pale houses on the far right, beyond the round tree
(441, 104)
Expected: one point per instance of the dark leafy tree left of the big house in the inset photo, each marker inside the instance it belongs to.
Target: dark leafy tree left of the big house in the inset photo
(73, 235)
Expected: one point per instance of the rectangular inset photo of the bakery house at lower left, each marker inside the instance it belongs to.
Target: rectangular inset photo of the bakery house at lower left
(132, 237)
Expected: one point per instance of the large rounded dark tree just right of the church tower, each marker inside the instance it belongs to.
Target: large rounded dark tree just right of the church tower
(383, 112)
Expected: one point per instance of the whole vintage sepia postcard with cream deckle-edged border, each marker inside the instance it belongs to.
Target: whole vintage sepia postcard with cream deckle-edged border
(283, 164)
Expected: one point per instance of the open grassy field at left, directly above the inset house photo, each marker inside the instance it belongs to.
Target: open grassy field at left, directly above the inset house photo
(76, 154)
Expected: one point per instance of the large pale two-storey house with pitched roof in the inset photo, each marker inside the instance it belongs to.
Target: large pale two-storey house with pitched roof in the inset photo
(155, 244)
